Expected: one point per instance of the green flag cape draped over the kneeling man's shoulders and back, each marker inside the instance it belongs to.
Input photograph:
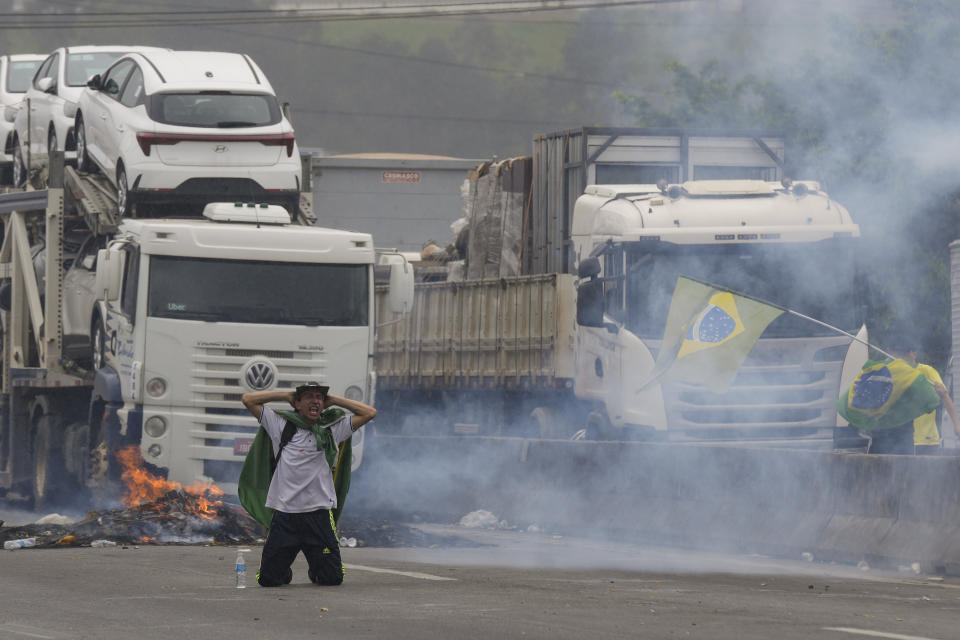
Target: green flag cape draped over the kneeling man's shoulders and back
(257, 470)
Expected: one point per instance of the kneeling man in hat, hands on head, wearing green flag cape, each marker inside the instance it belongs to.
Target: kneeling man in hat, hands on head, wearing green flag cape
(295, 477)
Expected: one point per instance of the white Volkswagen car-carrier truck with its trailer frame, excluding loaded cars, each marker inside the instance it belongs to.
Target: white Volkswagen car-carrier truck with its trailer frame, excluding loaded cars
(149, 333)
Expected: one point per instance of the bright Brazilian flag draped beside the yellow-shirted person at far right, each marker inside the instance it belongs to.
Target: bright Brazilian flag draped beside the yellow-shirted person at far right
(887, 394)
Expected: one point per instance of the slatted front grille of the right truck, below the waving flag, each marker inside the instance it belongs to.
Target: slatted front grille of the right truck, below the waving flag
(783, 384)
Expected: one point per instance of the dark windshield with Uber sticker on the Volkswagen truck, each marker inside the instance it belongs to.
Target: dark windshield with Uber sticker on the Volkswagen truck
(287, 293)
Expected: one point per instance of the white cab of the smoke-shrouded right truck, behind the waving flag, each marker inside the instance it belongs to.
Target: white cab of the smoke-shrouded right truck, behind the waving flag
(787, 243)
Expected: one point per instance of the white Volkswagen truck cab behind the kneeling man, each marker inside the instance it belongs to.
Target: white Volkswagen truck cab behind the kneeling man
(194, 313)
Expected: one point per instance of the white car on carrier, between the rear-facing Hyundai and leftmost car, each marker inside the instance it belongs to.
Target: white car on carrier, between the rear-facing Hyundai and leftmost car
(52, 100)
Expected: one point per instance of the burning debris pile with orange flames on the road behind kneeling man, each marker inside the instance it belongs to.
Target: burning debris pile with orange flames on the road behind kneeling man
(156, 511)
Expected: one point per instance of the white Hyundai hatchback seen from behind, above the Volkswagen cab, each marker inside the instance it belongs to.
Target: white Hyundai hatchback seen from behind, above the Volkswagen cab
(188, 128)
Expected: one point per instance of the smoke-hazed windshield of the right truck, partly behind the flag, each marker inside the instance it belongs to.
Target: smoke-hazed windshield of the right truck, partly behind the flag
(816, 279)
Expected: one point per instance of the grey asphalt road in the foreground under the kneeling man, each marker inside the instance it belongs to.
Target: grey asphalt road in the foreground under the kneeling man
(517, 585)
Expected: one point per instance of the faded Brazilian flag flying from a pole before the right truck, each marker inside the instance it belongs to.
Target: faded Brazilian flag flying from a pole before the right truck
(709, 332)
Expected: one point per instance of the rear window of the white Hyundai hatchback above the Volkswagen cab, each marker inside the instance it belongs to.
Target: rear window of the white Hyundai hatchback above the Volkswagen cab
(216, 110)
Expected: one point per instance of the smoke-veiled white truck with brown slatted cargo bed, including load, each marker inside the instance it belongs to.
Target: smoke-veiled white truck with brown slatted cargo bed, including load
(564, 345)
